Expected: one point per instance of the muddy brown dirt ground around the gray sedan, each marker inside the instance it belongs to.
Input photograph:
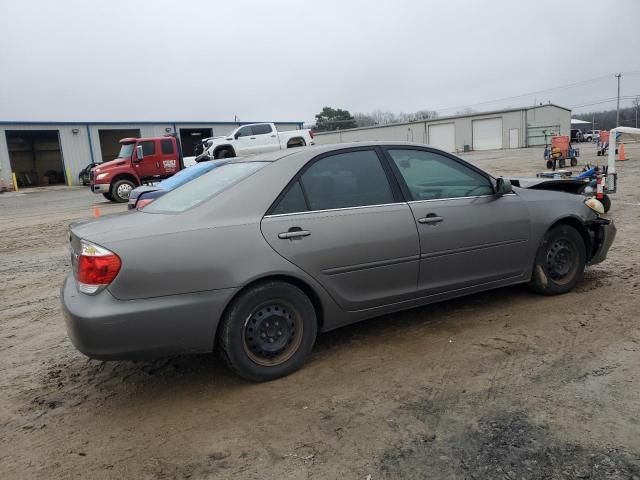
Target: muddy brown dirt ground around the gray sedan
(505, 384)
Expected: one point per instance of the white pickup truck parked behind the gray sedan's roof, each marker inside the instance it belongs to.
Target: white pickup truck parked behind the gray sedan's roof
(255, 138)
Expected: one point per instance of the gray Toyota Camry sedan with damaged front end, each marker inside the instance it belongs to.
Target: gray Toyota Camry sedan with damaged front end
(256, 257)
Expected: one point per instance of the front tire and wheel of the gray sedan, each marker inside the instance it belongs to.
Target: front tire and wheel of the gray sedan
(560, 261)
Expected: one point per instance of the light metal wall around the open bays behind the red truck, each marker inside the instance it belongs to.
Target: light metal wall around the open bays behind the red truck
(78, 142)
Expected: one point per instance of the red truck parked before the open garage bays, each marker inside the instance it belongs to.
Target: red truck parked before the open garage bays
(140, 161)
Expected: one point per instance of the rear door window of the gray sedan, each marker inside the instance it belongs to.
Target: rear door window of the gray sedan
(350, 179)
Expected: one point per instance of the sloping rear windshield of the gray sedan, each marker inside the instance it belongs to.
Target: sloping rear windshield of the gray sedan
(203, 188)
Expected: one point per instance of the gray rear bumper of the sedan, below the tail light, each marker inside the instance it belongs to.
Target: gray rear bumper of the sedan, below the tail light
(103, 327)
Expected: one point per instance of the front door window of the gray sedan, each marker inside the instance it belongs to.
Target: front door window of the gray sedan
(431, 176)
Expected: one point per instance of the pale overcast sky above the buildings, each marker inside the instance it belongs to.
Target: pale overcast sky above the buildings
(284, 60)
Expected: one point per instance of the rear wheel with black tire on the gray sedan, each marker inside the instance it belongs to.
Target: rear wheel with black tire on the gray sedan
(275, 312)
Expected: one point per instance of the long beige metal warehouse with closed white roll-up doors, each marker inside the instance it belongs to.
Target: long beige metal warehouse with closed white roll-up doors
(513, 128)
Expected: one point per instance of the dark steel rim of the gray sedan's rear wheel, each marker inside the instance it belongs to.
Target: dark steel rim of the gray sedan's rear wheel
(272, 333)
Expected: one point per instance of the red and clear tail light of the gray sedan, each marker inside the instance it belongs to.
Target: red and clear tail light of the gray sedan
(96, 268)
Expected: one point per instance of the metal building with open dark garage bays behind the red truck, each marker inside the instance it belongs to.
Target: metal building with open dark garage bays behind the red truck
(55, 152)
